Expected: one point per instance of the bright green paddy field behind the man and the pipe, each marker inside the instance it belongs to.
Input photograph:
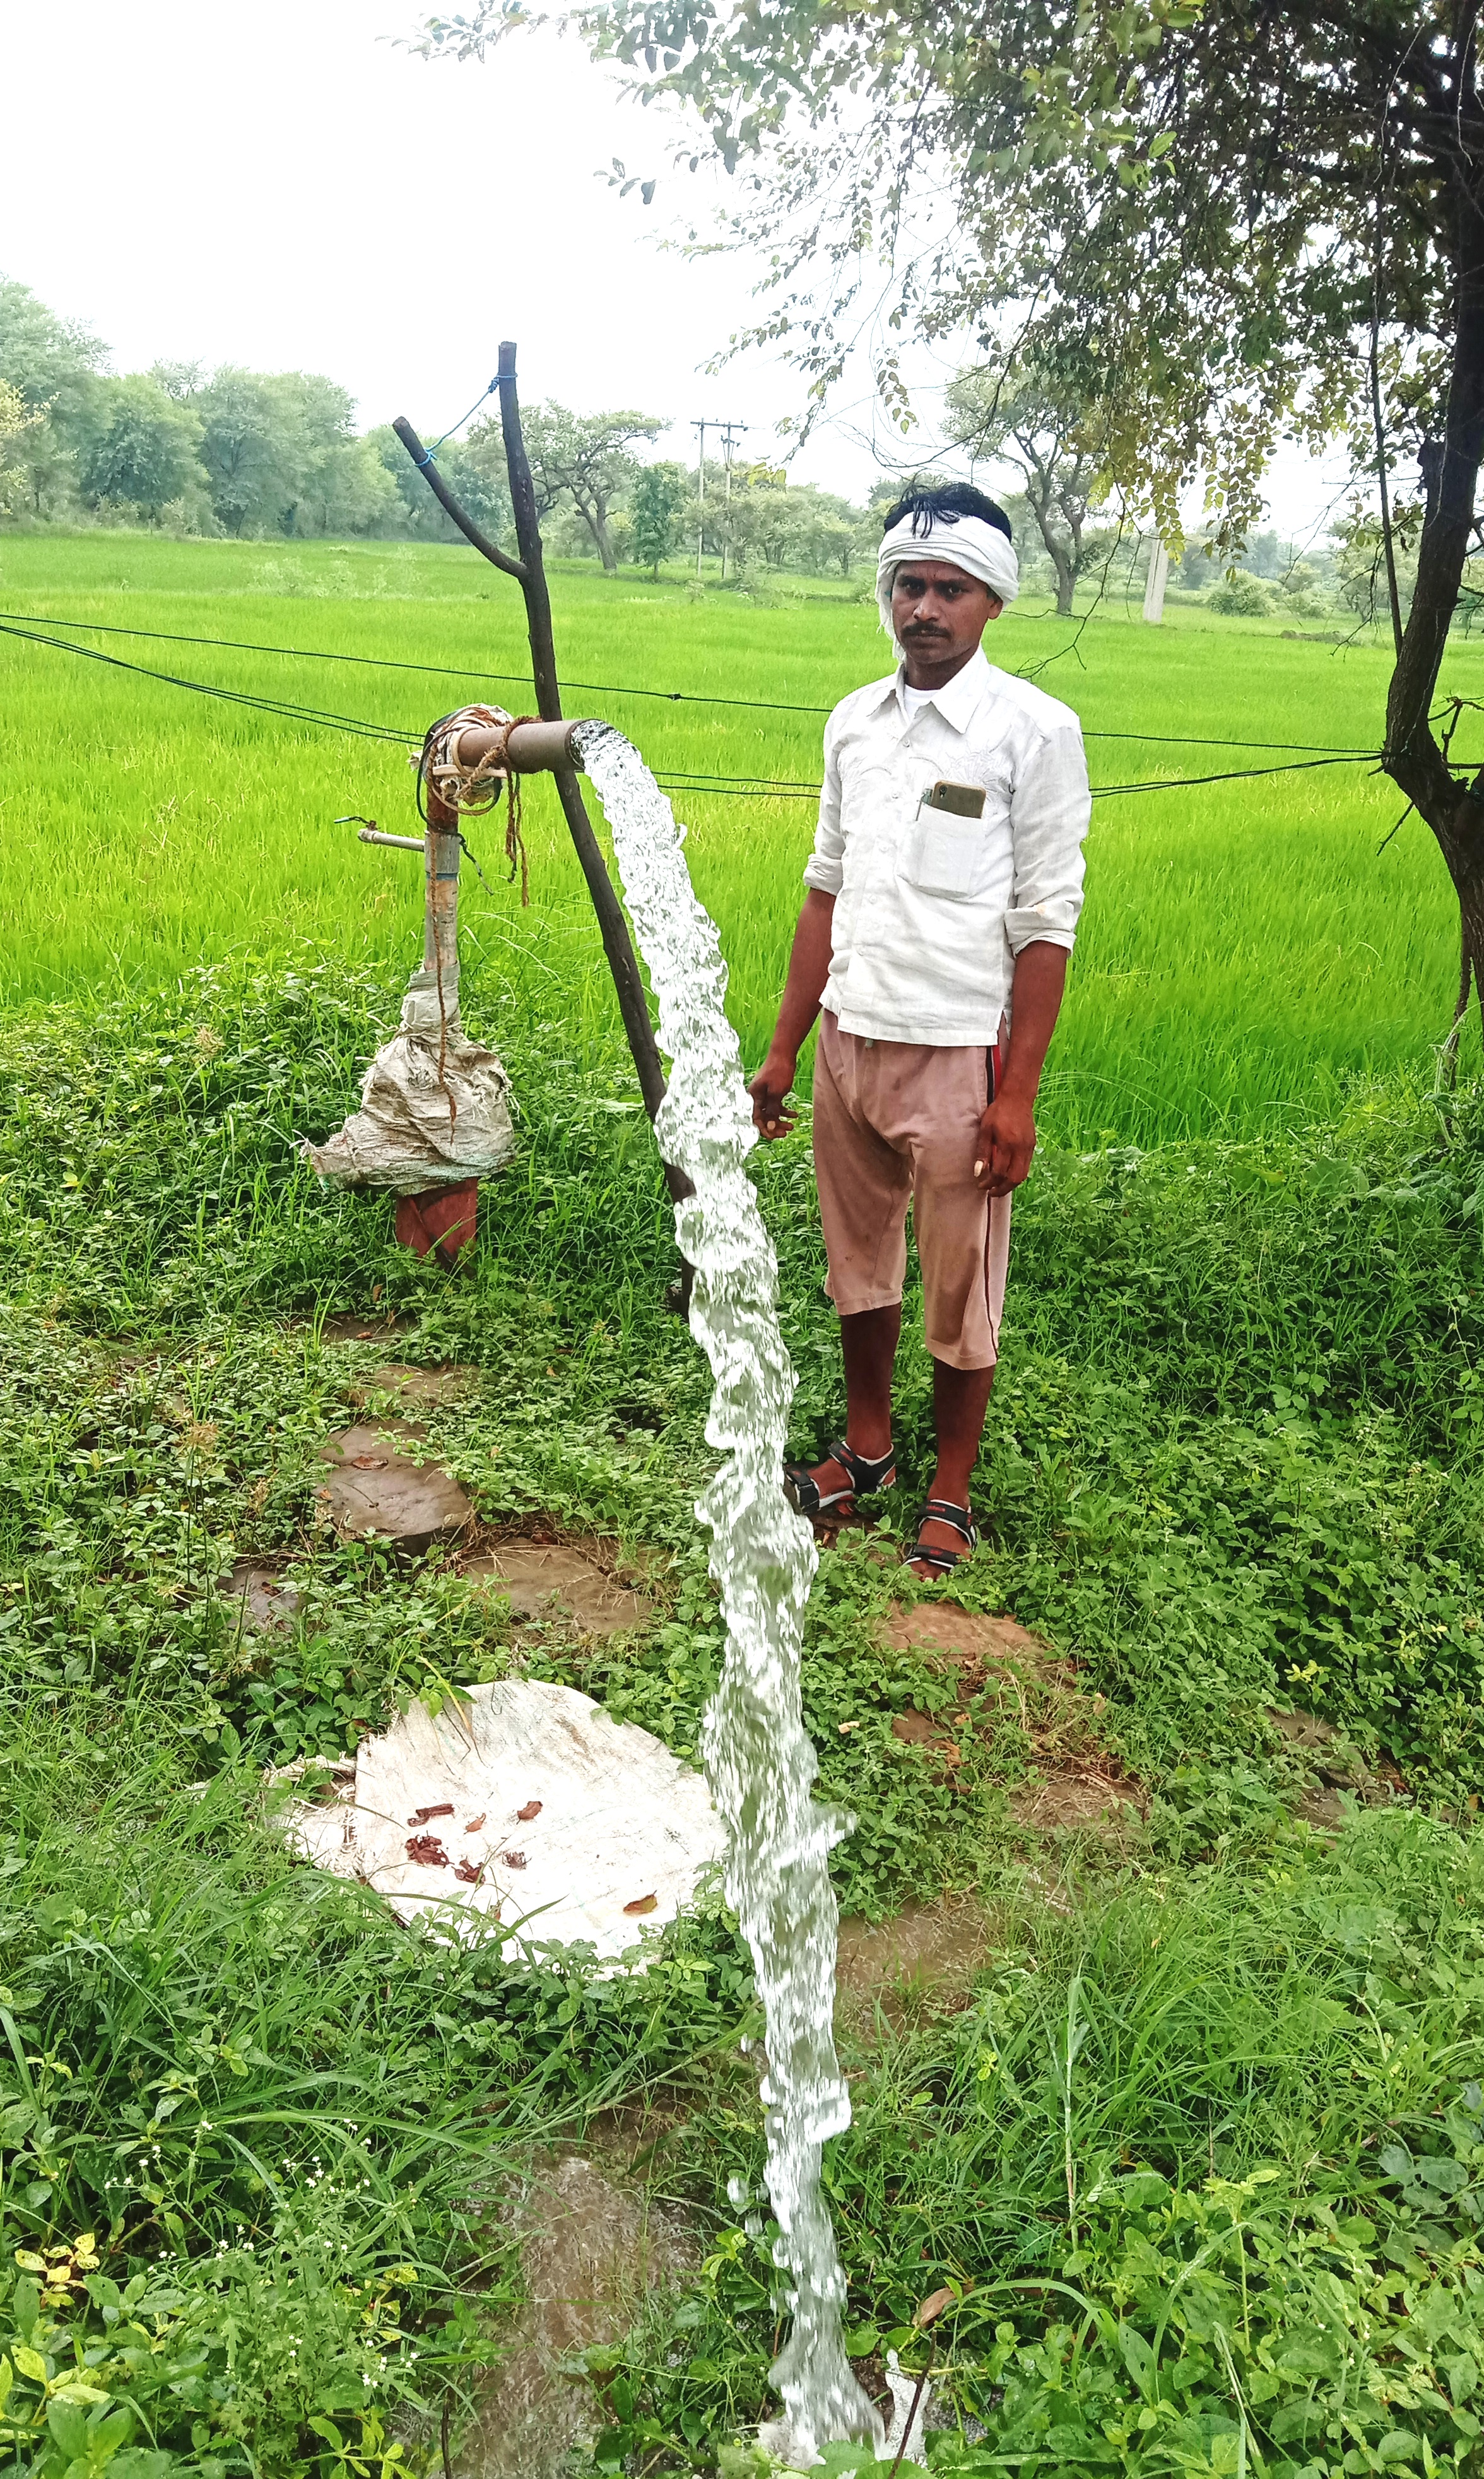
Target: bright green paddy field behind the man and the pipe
(1247, 951)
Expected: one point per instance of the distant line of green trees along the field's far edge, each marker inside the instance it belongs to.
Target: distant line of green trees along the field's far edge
(276, 455)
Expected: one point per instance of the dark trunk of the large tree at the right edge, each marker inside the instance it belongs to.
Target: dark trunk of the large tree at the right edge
(1413, 755)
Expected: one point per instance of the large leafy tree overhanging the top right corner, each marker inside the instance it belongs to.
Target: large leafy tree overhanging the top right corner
(1220, 222)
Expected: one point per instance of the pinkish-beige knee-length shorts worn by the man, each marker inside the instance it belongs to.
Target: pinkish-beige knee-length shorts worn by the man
(898, 1124)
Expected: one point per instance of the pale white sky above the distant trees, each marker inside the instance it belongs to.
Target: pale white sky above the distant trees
(284, 187)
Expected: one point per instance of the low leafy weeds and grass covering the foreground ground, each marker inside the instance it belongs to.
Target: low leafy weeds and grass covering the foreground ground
(1200, 2160)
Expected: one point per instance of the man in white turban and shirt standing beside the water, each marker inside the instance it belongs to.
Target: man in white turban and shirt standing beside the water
(945, 894)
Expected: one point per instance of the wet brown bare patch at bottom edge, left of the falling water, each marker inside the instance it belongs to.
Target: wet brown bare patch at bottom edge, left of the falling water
(593, 2255)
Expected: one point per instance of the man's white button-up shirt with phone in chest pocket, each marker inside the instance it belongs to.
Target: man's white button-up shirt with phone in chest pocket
(933, 909)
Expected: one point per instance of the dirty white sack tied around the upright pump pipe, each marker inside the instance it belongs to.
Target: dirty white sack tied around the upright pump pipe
(422, 1129)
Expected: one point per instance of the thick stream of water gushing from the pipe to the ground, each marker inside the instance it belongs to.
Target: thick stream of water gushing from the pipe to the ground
(757, 1751)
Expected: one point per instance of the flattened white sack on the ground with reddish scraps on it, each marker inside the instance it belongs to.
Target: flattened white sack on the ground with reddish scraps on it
(616, 1846)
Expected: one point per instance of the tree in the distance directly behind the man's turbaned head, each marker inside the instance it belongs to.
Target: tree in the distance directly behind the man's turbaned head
(1034, 423)
